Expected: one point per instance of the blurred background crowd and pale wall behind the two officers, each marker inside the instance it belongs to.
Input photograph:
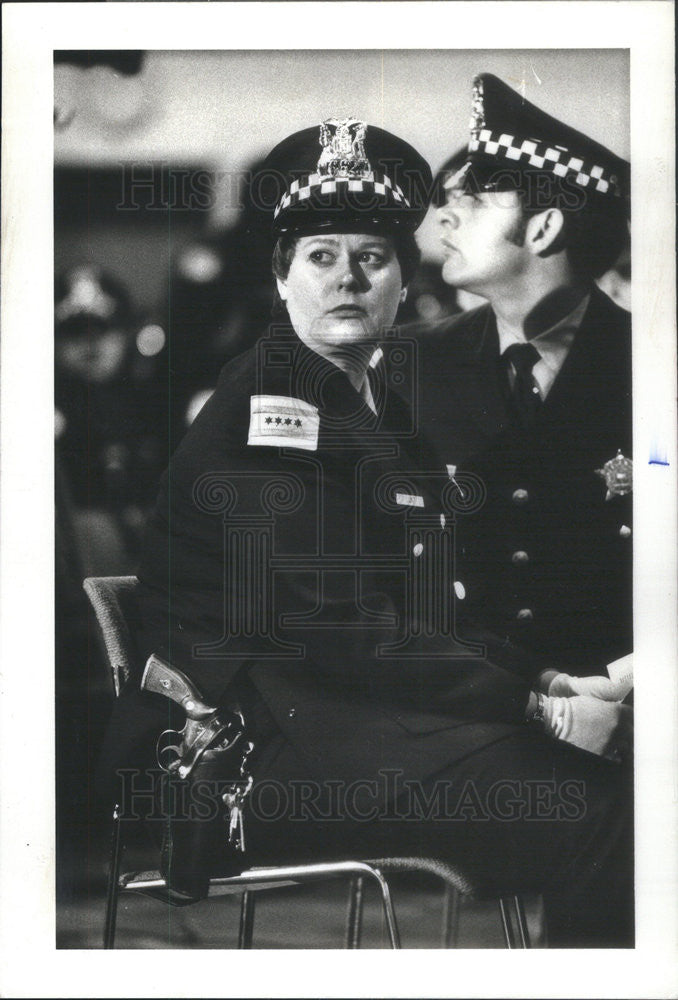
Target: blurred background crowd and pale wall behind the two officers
(162, 274)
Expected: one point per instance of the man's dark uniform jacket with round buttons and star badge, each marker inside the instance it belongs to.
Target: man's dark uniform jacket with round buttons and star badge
(546, 560)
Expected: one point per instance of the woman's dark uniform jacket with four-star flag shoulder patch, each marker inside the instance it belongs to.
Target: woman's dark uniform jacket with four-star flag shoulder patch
(288, 560)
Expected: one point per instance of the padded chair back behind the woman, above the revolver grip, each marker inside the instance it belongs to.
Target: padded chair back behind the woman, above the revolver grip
(115, 604)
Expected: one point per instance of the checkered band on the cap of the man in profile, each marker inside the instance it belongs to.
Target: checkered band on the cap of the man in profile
(559, 161)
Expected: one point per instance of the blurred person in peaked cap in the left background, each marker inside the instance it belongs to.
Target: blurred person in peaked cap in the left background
(109, 424)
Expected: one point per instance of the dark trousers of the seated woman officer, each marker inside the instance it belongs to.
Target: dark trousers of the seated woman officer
(526, 814)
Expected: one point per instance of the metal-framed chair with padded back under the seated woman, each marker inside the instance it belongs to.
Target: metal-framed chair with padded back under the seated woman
(115, 605)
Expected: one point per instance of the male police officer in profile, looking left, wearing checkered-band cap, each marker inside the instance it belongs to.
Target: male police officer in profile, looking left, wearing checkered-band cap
(533, 391)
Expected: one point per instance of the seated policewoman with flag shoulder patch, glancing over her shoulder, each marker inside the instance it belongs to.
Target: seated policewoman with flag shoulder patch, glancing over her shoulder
(306, 447)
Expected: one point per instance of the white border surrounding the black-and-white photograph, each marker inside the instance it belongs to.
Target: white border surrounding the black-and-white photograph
(31, 963)
